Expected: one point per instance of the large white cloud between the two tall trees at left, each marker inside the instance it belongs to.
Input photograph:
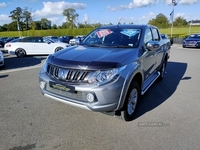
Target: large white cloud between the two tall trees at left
(56, 8)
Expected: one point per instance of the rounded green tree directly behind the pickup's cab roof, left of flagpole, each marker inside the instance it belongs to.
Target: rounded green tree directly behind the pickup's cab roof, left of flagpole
(160, 21)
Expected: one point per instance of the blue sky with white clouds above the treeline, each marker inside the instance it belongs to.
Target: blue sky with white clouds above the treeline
(102, 11)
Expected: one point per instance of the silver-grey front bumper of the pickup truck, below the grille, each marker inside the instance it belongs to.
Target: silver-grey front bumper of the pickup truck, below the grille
(107, 96)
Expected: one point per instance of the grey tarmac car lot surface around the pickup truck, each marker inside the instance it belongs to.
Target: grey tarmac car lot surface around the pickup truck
(167, 118)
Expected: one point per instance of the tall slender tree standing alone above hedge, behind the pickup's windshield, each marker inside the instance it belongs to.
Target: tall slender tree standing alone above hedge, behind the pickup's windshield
(71, 17)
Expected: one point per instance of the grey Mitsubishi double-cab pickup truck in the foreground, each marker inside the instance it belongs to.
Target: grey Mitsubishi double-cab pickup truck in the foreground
(108, 71)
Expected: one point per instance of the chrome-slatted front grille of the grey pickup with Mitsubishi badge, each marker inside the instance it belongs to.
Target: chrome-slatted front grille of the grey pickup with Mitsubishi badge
(69, 75)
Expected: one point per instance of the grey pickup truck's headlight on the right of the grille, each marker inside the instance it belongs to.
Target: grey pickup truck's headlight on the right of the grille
(104, 76)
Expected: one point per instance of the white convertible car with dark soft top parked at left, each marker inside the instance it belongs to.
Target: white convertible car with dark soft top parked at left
(34, 46)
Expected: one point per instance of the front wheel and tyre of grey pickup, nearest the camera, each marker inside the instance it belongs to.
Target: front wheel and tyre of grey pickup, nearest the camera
(130, 105)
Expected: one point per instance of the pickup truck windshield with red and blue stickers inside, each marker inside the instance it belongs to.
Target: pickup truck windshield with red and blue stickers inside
(113, 38)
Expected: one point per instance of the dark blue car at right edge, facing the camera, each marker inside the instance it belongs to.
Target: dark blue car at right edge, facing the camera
(192, 41)
